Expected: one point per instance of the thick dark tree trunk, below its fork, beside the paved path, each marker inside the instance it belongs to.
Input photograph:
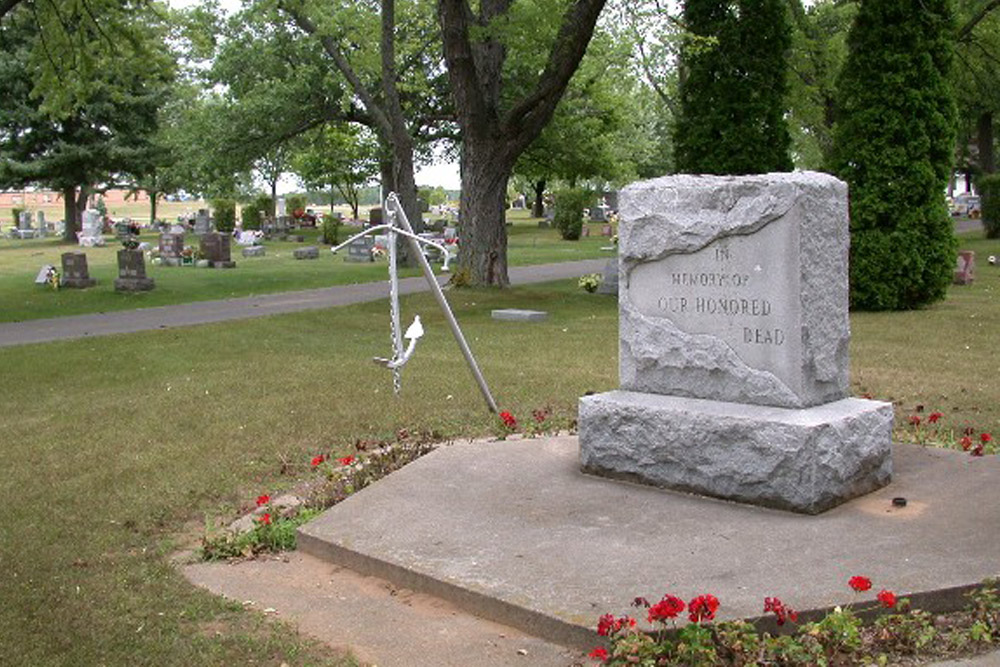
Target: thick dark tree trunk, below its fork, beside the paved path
(482, 225)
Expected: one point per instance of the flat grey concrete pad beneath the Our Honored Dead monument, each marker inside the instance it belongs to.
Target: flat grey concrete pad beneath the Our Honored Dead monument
(514, 532)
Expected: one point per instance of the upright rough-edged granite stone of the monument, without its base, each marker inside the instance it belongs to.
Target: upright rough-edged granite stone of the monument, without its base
(735, 288)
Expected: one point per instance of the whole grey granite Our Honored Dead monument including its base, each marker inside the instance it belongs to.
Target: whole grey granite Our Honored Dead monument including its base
(733, 347)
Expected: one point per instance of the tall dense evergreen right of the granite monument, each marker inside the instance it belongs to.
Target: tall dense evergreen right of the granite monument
(893, 145)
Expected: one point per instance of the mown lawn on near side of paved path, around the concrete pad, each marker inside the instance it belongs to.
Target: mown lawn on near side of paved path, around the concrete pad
(117, 449)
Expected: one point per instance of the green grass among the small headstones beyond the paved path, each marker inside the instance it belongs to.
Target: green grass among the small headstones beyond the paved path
(21, 299)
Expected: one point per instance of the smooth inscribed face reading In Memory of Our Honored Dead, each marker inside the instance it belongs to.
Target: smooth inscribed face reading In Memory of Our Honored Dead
(741, 289)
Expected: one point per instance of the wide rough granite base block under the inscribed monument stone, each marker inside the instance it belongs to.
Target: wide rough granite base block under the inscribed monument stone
(804, 460)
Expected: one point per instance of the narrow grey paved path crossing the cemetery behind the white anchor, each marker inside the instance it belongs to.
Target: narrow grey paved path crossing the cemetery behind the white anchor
(205, 312)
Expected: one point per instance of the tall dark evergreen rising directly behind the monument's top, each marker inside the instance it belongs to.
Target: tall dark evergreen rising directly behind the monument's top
(733, 86)
